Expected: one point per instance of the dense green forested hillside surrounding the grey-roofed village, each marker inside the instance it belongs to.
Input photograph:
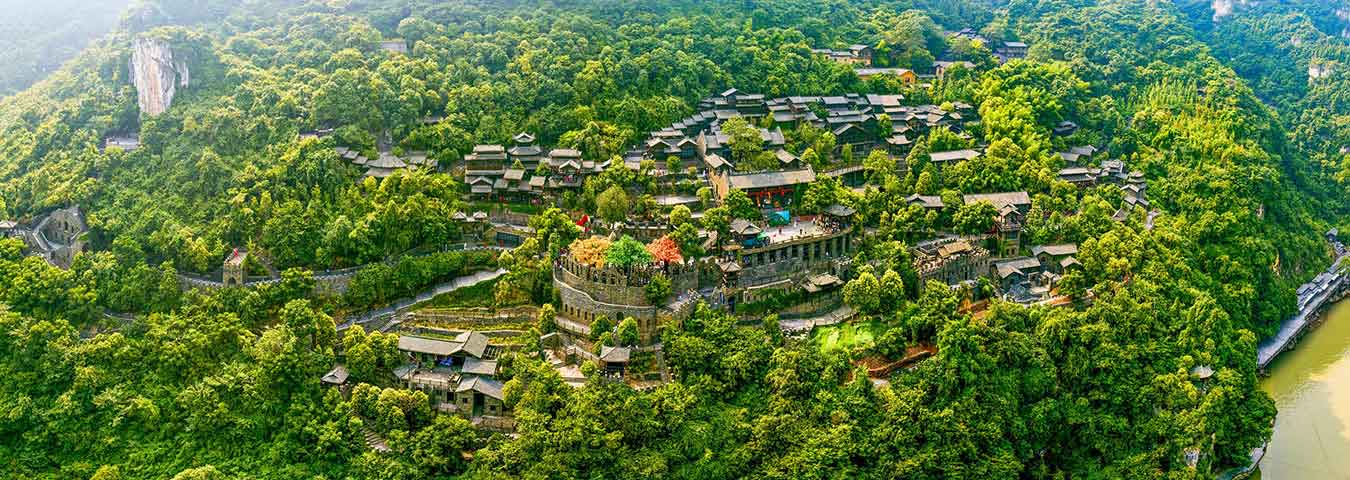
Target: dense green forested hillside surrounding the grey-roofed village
(226, 384)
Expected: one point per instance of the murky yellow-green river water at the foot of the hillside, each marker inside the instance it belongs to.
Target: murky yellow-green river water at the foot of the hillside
(1312, 388)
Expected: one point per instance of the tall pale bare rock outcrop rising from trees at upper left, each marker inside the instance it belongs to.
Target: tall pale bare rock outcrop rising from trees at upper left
(157, 75)
